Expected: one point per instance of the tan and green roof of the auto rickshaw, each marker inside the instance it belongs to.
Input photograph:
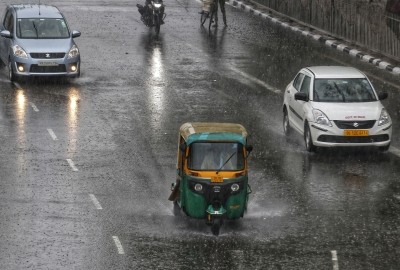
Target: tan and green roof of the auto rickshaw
(205, 131)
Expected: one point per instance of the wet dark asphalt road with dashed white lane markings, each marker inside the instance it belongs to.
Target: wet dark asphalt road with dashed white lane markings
(86, 164)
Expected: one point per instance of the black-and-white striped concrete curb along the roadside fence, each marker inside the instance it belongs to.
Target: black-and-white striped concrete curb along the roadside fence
(336, 44)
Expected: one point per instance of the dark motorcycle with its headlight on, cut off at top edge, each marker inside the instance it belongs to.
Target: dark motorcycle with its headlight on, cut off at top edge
(152, 14)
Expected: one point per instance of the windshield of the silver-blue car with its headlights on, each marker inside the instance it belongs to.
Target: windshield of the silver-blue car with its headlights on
(42, 28)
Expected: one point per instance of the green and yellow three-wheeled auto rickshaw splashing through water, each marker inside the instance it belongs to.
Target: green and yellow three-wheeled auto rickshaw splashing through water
(212, 172)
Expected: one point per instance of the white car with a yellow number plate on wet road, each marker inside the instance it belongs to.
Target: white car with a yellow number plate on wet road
(336, 106)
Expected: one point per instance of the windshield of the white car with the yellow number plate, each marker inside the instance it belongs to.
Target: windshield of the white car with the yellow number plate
(343, 90)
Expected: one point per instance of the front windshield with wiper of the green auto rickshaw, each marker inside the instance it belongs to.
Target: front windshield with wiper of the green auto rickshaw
(209, 156)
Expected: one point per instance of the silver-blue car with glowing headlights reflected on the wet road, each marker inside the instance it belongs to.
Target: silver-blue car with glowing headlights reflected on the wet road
(36, 41)
